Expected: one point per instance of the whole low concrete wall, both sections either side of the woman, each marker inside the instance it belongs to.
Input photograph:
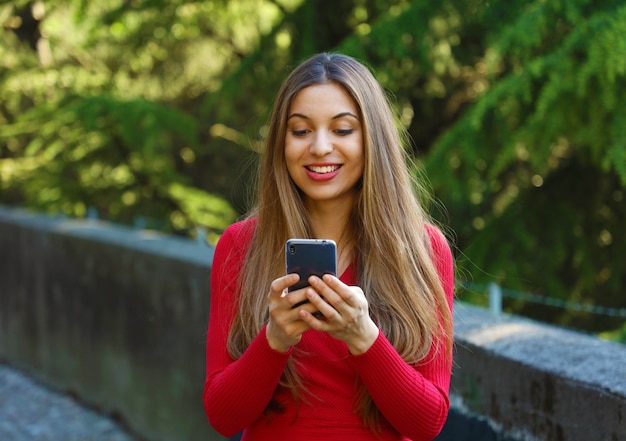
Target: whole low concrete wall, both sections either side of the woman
(118, 317)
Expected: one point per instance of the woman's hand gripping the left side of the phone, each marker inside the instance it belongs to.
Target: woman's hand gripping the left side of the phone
(285, 328)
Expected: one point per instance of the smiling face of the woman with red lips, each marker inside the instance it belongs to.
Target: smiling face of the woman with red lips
(324, 144)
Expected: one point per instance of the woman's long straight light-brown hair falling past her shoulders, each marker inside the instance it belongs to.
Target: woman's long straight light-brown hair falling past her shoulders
(395, 268)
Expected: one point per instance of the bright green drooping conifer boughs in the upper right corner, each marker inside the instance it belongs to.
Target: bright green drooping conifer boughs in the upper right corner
(581, 77)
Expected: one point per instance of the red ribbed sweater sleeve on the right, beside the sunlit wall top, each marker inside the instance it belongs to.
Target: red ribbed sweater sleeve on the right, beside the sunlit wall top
(413, 399)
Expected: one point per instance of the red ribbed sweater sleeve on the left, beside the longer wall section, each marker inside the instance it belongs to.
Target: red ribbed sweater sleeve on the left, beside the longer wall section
(235, 392)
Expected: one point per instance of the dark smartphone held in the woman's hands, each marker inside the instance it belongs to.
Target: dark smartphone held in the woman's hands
(310, 257)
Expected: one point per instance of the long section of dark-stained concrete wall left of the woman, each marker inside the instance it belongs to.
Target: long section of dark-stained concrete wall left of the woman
(115, 316)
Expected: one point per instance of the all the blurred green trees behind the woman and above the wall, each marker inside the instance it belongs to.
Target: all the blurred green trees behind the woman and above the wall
(151, 112)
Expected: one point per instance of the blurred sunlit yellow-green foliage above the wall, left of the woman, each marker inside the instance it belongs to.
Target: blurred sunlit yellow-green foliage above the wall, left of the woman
(96, 100)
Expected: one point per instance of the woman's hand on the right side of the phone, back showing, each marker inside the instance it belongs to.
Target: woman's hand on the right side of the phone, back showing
(345, 311)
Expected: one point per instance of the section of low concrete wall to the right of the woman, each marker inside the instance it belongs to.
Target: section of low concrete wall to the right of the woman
(538, 382)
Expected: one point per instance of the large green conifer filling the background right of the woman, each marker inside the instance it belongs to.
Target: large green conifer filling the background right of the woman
(516, 112)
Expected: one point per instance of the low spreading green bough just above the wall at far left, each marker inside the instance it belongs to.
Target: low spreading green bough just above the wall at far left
(112, 155)
